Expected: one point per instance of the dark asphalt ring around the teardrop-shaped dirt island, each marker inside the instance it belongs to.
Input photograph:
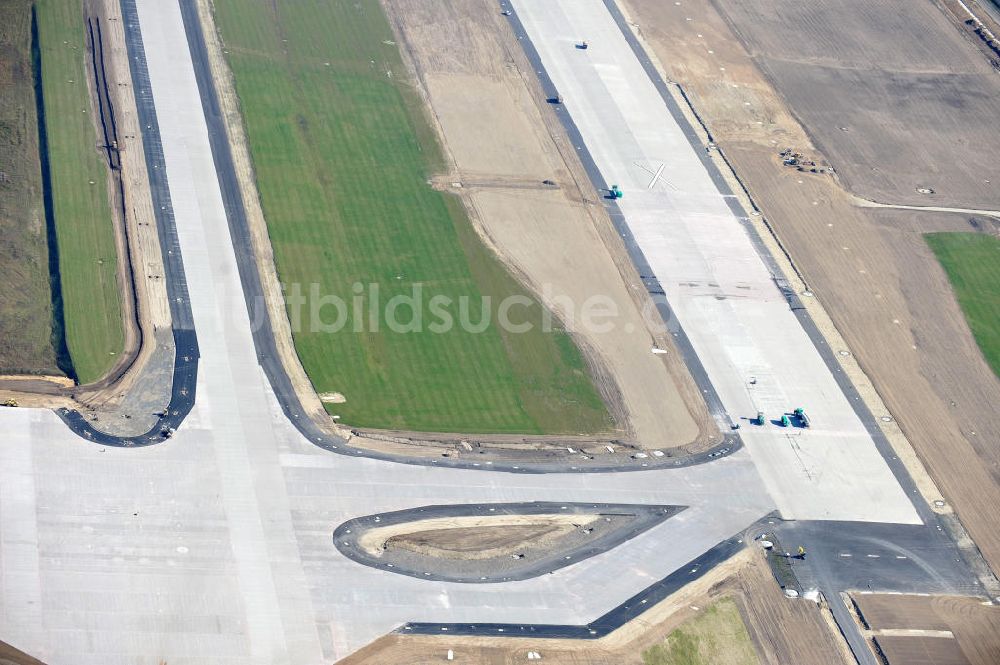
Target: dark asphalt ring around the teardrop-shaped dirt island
(345, 536)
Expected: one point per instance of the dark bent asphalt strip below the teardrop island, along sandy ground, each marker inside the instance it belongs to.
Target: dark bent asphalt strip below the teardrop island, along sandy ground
(603, 625)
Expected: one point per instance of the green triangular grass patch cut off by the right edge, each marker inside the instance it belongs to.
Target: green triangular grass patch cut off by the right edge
(972, 261)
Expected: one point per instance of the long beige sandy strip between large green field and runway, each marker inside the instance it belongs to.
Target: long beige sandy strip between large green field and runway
(502, 139)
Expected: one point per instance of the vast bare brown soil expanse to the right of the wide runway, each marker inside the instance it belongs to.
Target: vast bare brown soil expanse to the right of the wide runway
(870, 268)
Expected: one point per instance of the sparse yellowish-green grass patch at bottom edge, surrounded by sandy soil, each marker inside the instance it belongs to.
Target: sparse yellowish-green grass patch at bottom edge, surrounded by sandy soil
(717, 636)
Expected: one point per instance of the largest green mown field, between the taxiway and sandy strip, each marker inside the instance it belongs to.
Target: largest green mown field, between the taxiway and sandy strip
(342, 152)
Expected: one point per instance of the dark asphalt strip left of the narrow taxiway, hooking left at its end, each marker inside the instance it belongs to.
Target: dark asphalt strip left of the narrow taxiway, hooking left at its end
(182, 394)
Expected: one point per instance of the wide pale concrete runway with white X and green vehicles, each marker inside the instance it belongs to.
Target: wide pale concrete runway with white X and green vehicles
(721, 291)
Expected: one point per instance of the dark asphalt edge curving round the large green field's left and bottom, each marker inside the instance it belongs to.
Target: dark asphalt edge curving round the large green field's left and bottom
(263, 333)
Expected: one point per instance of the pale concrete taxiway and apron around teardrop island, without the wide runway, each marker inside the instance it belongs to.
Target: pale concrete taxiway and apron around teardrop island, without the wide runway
(216, 545)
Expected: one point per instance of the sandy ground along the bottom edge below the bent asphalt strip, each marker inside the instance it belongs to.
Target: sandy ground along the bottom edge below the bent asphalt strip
(783, 630)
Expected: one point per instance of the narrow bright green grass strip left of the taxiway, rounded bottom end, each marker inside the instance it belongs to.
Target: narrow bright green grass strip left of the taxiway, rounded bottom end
(88, 260)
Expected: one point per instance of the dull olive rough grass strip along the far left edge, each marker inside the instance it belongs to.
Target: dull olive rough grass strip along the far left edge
(25, 299)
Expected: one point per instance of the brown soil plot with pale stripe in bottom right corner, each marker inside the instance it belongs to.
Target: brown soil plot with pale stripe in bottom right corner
(942, 630)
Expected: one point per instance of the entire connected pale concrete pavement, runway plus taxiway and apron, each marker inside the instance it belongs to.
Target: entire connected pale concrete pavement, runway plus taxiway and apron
(216, 546)
